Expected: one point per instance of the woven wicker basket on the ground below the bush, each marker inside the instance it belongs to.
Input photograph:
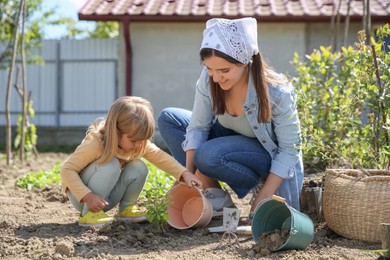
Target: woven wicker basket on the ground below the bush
(355, 202)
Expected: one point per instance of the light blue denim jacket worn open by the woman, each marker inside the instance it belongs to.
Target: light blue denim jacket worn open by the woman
(280, 137)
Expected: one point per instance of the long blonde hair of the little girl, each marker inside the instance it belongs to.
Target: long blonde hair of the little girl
(127, 115)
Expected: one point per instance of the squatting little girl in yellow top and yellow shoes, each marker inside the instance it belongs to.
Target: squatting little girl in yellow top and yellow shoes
(105, 169)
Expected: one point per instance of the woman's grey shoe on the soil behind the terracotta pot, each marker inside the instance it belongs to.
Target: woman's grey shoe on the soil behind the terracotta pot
(219, 198)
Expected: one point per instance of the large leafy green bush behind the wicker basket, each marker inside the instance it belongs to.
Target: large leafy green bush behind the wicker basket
(344, 105)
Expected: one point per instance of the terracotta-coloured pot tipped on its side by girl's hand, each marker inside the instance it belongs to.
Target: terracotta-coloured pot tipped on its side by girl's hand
(188, 207)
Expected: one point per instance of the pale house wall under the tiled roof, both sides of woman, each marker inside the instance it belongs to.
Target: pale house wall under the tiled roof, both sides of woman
(166, 63)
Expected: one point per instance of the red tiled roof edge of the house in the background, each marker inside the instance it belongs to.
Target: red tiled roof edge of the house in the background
(201, 10)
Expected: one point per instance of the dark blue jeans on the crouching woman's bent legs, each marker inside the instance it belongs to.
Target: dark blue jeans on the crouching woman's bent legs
(237, 160)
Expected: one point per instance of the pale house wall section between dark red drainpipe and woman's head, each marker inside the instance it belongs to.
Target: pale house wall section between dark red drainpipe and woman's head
(166, 63)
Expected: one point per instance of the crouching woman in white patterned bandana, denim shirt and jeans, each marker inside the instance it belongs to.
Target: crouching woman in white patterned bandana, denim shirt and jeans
(244, 128)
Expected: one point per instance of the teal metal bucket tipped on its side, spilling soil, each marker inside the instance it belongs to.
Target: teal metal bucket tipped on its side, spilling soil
(274, 213)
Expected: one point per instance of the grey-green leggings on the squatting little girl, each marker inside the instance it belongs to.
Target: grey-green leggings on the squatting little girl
(113, 184)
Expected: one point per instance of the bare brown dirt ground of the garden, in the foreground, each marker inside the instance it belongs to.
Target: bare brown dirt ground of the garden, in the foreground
(42, 224)
